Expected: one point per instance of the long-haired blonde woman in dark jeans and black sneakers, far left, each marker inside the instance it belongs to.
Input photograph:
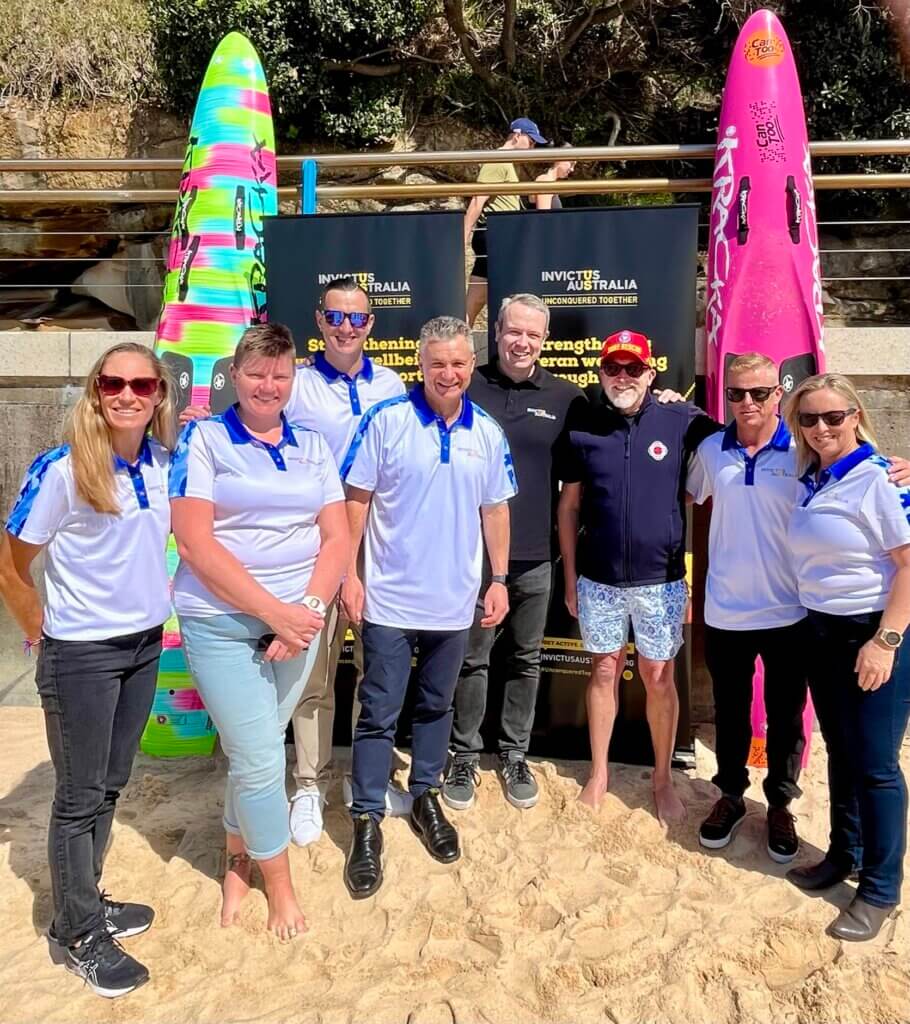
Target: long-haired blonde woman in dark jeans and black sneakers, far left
(99, 507)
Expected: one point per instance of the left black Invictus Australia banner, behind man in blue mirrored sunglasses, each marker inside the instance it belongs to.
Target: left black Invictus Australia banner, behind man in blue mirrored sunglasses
(412, 265)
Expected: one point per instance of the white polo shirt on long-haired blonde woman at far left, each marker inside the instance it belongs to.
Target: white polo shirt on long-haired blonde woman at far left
(106, 575)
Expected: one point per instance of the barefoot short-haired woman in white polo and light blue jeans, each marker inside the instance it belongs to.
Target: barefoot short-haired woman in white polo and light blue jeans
(259, 518)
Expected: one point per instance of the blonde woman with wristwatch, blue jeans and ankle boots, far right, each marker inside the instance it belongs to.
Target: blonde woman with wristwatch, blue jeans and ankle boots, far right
(850, 538)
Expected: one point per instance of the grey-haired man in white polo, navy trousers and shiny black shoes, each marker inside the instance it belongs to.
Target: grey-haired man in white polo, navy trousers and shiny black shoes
(429, 478)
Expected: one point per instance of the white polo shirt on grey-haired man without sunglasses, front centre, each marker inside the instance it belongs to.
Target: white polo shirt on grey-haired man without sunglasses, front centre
(423, 544)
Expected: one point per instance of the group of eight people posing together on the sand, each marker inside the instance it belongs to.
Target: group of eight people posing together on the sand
(327, 498)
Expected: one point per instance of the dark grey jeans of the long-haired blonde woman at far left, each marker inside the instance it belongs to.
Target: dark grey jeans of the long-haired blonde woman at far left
(97, 697)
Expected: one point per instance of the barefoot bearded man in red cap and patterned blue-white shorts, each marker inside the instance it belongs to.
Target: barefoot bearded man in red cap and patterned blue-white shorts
(625, 464)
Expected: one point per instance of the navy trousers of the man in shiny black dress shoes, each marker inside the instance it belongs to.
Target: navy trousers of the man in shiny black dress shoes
(387, 655)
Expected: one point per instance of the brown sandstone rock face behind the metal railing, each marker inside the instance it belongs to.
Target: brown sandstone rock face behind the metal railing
(52, 246)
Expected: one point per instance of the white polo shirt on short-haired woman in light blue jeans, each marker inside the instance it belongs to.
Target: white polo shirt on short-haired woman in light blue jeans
(267, 498)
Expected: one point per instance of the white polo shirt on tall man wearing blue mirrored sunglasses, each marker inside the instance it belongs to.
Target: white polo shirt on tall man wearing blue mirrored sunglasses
(326, 400)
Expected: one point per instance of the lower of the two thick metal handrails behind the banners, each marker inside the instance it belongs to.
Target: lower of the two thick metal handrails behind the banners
(566, 188)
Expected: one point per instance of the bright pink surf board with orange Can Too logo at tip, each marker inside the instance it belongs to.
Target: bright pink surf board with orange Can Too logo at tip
(764, 275)
